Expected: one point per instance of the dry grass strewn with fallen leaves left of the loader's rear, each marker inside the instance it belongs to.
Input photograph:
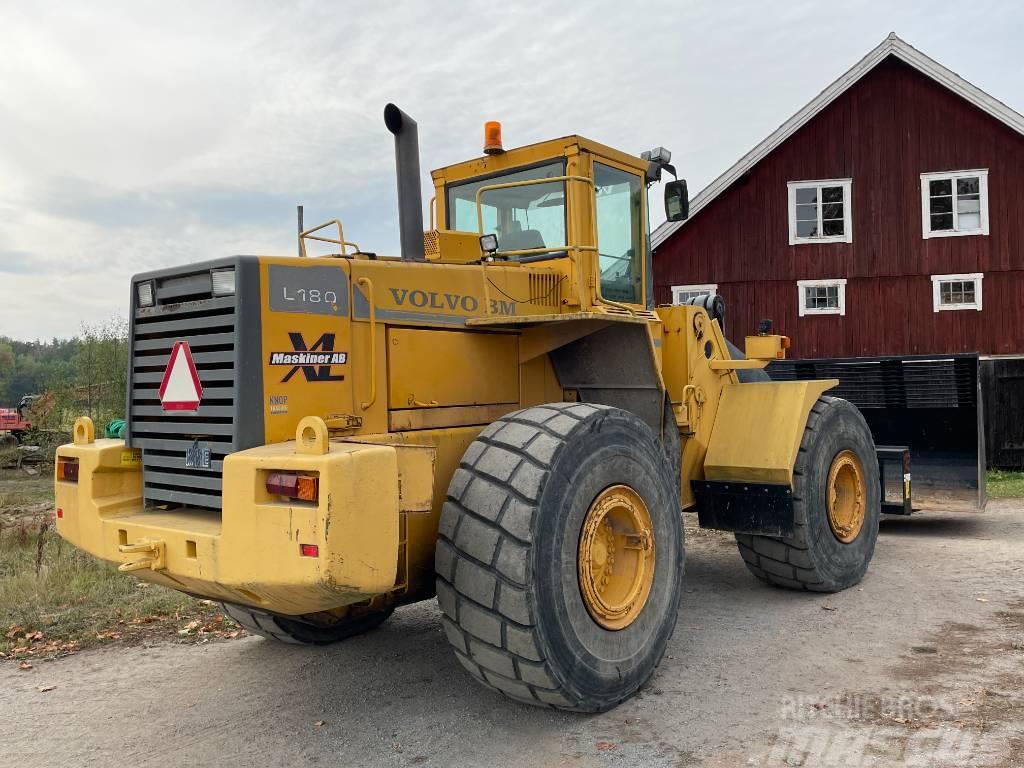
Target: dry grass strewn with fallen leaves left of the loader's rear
(56, 599)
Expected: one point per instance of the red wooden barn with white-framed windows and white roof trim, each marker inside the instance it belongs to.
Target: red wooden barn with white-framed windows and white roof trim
(886, 218)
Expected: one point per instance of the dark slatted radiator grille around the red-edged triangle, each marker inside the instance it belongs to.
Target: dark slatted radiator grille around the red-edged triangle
(208, 324)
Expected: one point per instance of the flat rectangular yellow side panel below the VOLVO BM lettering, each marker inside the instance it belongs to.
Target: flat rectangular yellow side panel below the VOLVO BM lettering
(431, 369)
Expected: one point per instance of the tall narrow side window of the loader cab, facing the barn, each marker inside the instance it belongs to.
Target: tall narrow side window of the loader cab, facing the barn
(620, 236)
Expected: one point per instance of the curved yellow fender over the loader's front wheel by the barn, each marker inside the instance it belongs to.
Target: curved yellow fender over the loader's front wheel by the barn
(759, 429)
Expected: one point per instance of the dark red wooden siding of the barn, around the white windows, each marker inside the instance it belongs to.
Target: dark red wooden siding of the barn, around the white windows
(888, 130)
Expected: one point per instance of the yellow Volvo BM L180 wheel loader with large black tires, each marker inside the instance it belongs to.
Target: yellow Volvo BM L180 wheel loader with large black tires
(500, 416)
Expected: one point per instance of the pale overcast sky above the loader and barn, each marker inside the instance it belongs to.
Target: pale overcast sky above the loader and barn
(139, 136)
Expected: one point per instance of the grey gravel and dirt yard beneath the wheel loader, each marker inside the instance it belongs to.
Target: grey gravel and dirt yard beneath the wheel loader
(923, 665)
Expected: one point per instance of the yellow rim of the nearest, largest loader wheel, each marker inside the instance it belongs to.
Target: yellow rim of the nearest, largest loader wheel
(616, 561)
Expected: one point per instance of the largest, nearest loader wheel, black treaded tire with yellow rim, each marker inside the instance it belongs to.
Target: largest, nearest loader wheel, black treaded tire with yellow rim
(561, 557)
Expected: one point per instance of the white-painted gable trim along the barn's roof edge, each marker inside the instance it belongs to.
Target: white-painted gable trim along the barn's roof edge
(891, 47)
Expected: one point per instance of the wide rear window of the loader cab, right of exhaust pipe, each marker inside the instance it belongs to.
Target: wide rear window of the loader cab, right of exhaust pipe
(523, 218)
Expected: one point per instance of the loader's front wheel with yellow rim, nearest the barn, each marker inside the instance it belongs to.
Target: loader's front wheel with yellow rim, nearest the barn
(837, 506)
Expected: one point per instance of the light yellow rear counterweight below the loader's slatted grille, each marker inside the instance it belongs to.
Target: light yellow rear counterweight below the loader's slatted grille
(365, 491)
